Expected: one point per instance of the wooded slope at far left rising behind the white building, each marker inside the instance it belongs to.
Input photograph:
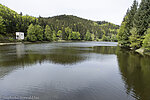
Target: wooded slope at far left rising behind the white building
(10, 21)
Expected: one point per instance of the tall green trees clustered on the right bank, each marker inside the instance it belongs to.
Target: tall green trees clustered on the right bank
(135, 29)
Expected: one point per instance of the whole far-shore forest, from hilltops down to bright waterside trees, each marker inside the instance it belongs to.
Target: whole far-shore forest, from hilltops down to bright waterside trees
(63, 27)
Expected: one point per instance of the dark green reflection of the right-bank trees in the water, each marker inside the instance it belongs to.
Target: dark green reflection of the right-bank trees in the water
(135, 71)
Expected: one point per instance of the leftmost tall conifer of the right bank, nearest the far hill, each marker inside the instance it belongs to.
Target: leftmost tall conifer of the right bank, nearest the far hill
(127, 24)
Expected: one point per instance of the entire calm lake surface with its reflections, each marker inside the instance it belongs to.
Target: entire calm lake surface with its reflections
(73, 71)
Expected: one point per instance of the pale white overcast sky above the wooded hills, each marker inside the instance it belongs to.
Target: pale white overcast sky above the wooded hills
(97, 10)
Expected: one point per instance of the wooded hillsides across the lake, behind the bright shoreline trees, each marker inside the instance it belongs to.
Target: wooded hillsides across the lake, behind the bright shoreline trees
(11, 22)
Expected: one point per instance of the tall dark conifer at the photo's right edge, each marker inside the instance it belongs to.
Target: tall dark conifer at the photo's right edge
(141, 21)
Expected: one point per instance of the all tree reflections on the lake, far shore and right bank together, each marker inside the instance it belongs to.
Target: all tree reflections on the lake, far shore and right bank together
(134, 68)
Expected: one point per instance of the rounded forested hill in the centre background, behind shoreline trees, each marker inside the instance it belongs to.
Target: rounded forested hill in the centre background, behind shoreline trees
(80, 25)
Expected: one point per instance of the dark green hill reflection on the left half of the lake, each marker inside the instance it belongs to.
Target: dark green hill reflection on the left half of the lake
(29, 57)
